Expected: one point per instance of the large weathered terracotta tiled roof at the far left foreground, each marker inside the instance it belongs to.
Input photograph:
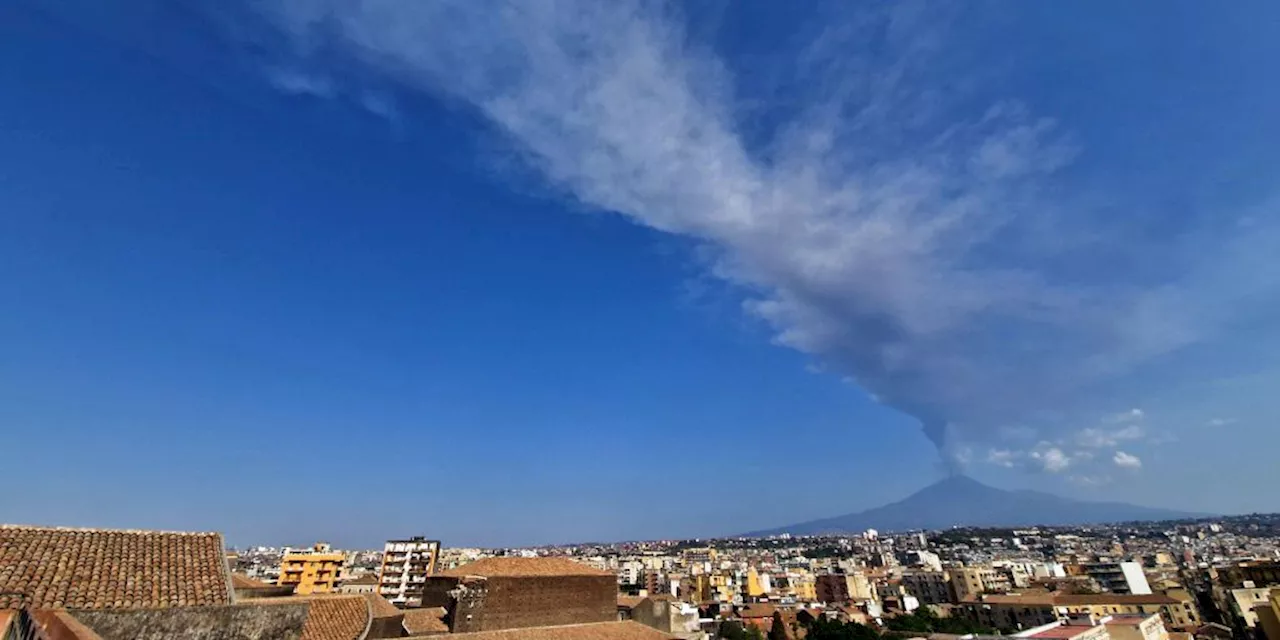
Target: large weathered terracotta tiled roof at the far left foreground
(99, 569)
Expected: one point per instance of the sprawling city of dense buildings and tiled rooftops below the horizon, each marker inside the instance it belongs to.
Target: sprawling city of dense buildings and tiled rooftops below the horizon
(1169, 580)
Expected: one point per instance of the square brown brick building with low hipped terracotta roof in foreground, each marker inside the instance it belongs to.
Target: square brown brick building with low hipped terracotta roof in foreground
(516, 593)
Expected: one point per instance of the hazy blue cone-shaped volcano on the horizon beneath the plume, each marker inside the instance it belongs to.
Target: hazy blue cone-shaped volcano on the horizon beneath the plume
(962, 501)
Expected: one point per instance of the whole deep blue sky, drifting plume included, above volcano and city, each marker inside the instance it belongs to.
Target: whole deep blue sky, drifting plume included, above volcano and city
(299, 269)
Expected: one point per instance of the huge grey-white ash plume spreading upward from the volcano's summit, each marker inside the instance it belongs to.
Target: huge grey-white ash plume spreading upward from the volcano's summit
(900, 240)
